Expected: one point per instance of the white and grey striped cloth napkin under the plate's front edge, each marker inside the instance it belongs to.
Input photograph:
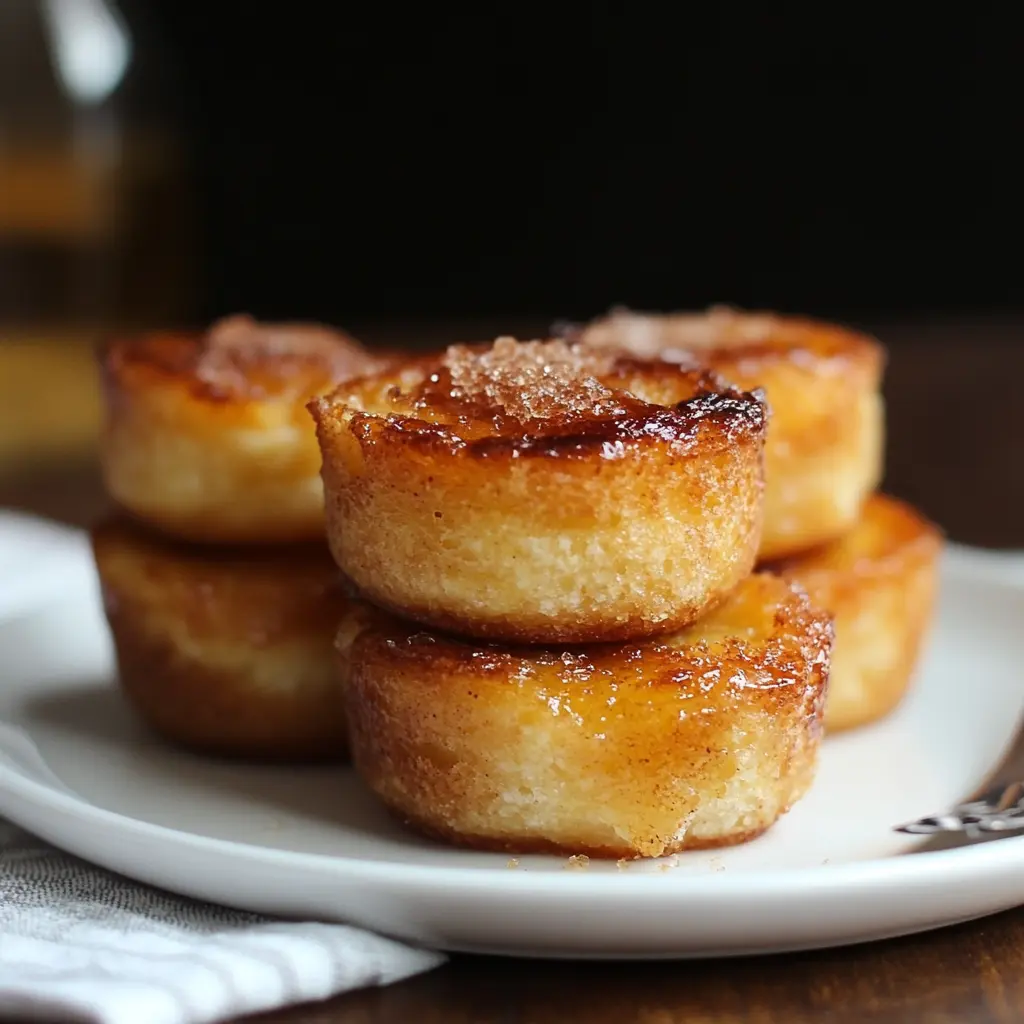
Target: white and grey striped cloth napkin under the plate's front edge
(80, 944)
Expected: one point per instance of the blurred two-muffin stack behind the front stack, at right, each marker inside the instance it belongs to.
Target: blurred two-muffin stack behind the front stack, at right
(869, 559)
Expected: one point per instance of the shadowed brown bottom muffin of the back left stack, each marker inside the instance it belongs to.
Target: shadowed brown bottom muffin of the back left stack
(227, 652)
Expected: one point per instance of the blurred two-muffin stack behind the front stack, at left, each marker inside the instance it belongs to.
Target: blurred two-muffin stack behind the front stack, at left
(221, 593)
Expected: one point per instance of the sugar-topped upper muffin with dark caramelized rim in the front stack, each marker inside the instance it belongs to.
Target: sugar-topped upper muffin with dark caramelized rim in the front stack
(518, 492)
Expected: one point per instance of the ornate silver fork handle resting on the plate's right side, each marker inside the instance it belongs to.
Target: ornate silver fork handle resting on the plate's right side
(997, 810)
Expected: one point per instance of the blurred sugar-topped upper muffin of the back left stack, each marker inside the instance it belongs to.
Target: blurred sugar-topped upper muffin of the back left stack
(207, 437)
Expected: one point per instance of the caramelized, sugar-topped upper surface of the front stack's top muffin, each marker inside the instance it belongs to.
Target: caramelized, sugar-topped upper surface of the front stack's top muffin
(531, 398)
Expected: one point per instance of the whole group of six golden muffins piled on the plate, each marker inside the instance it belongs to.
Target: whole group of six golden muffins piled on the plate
(596, 586)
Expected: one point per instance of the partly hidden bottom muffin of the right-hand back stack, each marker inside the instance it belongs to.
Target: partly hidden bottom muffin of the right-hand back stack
(880, 583)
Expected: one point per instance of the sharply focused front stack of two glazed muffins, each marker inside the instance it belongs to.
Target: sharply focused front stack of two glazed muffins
(564, 648)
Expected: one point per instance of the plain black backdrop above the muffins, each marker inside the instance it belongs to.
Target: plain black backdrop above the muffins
(356, 161)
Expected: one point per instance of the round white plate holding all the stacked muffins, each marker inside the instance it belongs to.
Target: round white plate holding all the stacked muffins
(77, 770)
